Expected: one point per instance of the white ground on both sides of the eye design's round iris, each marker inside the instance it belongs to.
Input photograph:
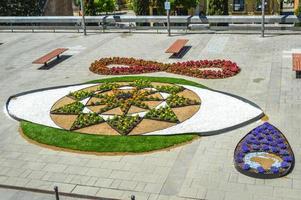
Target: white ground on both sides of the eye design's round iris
(218, 111)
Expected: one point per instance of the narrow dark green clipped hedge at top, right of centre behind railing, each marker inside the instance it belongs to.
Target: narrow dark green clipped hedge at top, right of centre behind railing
(217, 7)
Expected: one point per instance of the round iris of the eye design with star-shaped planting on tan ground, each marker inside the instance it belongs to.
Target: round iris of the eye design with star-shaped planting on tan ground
(127, 108)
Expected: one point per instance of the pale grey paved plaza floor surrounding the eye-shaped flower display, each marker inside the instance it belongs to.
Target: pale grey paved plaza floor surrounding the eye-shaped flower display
(203, 169)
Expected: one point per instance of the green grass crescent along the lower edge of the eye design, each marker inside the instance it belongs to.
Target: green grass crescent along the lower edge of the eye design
(97, 143)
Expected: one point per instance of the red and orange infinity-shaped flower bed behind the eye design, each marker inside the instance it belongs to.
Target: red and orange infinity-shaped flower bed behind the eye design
(208, 69)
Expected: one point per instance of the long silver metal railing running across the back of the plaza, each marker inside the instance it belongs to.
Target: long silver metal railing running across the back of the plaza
(136, 22)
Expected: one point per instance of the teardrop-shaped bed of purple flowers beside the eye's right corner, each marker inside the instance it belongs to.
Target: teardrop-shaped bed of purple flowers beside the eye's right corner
(264, 153)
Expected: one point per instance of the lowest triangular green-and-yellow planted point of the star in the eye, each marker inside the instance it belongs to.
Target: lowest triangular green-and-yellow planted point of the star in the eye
(124, 124)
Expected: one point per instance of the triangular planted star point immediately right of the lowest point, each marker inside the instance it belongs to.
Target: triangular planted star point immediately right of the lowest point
(163, 114)
